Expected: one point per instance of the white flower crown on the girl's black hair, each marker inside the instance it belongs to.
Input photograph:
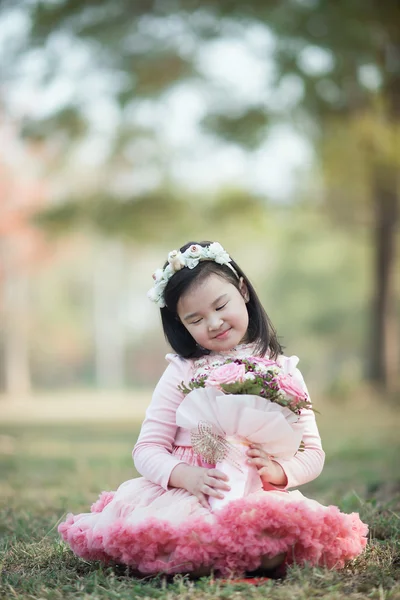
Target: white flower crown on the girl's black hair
(190, 258)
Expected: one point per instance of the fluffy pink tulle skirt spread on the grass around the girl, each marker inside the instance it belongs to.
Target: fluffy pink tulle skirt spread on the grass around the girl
(158, 531)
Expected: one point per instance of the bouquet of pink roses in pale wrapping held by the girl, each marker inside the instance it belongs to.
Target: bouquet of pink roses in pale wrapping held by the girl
(230, 404)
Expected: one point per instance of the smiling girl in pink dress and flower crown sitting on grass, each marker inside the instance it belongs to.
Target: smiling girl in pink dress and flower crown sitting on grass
(162, 522)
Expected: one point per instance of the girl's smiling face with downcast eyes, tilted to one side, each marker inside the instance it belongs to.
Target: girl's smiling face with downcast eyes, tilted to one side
(214, 313)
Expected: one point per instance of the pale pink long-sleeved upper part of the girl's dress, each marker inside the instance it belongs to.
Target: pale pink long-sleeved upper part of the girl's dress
(159, 434)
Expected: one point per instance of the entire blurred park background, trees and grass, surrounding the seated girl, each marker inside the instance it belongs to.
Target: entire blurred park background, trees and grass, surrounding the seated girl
(130, 127)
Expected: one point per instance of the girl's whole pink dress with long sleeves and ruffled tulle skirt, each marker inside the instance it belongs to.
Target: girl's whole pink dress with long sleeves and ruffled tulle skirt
(156, 528)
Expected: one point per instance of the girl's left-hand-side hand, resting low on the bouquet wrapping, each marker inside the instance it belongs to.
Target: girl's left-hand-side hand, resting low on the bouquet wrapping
(200, 482)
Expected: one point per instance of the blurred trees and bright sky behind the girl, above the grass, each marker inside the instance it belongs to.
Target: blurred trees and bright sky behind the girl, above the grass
(129, 128)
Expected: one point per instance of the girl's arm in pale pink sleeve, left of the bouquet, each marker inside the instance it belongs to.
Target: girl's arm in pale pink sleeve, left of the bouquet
(152, 452)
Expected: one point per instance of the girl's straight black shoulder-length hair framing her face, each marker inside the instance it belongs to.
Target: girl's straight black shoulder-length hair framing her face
(260, 329)
